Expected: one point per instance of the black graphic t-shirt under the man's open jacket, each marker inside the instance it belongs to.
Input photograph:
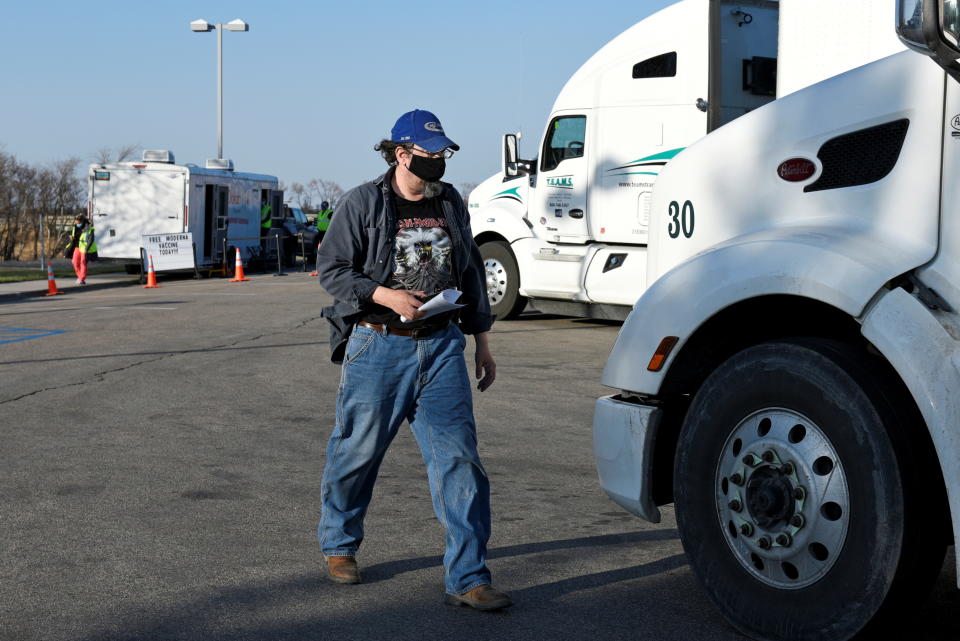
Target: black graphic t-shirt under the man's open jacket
(423, 259)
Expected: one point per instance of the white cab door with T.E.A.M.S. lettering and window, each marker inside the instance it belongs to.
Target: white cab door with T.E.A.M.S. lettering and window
(560, 198)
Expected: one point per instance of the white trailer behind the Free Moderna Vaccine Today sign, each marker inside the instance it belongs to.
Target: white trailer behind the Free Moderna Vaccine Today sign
(218, 206)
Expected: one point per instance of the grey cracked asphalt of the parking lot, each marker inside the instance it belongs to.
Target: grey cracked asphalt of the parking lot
(161, 459)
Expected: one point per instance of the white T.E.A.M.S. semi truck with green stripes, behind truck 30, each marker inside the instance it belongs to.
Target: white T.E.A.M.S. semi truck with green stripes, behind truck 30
(568, 230)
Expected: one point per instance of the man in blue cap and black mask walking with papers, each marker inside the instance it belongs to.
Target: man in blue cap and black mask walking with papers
(393, 244)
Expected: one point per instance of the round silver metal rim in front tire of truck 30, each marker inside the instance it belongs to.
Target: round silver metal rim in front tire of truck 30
(782, 498)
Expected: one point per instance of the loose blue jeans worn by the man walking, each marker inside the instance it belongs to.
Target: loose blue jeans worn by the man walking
(385, 380)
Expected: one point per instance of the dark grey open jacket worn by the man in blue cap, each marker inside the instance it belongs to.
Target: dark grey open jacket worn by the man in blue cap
(356, 256)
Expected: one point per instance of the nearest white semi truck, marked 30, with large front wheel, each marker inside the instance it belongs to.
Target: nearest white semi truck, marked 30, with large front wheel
(790, 378)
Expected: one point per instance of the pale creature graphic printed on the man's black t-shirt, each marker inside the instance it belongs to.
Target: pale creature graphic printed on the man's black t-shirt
(422, 254)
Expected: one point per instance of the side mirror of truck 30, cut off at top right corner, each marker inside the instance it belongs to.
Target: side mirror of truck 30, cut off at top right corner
(931, 27)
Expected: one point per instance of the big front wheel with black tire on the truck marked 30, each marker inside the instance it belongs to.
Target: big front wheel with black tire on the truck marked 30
(805, 506)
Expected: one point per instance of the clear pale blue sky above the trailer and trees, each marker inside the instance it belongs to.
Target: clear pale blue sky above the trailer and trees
(308, 90)
